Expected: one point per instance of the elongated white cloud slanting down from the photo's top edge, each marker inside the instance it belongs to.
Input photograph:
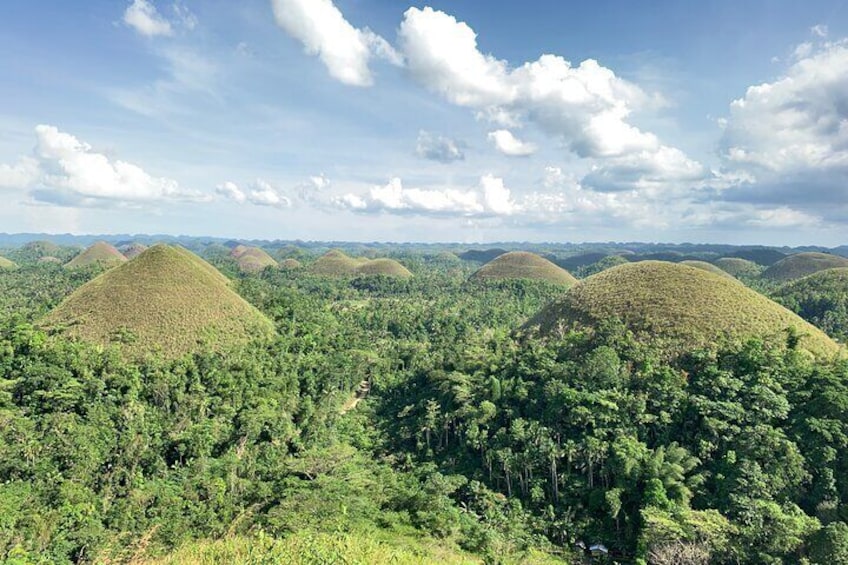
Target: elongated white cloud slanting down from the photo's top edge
(323, 30)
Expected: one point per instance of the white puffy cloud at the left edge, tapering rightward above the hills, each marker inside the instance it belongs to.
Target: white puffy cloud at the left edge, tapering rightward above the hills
(64, 170)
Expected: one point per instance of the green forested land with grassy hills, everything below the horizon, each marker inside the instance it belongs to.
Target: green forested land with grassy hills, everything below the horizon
(419, 415)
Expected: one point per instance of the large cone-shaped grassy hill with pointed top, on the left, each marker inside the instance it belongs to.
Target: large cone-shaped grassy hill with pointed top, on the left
(167, 299)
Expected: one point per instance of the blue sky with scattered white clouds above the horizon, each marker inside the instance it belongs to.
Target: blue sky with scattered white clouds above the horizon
(462, 121)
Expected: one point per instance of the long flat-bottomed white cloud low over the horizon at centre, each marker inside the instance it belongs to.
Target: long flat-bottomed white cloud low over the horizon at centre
(490, 198)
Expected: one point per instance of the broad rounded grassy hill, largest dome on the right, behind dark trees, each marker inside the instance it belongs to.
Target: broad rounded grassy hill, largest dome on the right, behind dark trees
(676, 307)
